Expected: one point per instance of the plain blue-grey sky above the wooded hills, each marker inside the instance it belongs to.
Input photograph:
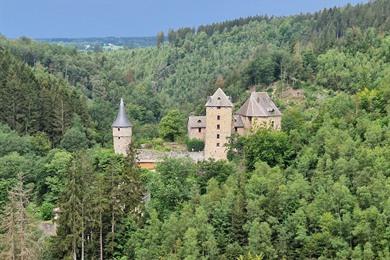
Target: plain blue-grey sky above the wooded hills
(133, 18)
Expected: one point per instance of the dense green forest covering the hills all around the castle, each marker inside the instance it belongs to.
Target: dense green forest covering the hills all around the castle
(320, 188)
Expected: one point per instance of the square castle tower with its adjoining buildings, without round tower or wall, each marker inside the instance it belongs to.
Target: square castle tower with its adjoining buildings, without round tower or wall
(220, 123)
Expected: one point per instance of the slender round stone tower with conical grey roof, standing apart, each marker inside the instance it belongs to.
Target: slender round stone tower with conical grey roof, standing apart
(121, 131)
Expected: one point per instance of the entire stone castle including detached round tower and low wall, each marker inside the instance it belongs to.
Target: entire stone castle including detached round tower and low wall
(215, 128)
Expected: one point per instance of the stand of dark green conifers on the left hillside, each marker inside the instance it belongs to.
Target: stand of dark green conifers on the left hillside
(31, 100)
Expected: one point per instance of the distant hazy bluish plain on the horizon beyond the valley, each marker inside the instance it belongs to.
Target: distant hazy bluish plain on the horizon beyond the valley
(104, 43)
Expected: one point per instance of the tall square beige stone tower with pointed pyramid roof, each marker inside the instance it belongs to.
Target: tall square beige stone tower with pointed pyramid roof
(219, 116)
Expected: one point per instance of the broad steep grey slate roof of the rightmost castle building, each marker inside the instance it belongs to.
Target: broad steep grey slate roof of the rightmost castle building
(259, 104)
